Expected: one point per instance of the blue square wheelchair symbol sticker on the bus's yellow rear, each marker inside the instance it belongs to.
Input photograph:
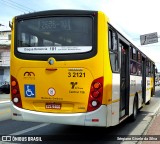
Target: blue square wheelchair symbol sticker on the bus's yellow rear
(29, 90)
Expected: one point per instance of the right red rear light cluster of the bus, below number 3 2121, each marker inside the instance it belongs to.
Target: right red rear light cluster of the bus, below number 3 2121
(96, 93)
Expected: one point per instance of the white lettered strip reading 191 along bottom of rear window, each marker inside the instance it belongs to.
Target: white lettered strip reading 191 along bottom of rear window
(55, 49)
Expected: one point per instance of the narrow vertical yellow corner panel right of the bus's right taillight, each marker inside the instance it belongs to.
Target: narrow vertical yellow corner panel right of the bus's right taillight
(107, 88)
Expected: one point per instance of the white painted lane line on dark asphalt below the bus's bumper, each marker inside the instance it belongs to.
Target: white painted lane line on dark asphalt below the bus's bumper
(30, 129)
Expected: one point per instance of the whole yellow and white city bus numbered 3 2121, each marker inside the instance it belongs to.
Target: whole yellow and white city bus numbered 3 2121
(74, 67)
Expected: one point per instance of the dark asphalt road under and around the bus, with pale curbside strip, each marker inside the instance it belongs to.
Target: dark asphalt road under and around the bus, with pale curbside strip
(79, 134)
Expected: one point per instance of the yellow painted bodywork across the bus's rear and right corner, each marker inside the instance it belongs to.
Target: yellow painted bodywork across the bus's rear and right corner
(71, 92)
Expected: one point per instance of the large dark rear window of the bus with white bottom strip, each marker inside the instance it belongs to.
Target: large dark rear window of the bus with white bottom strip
(55, 35)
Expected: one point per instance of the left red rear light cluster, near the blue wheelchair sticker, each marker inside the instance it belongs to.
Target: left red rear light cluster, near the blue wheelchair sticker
(15, 93)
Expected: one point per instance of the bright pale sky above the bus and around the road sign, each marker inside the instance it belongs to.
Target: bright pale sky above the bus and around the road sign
(134, 17)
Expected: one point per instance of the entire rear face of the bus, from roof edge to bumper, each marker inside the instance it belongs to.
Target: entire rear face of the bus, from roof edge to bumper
(57, 68)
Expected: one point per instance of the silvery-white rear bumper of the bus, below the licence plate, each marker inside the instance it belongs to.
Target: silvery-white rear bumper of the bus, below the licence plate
(95, 118)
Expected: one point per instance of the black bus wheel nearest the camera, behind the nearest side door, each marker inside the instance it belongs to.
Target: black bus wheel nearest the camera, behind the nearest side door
(135, 109)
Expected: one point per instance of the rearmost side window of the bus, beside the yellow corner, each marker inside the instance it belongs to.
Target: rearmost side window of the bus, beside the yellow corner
(113, 48)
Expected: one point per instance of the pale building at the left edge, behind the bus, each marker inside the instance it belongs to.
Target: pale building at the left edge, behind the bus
(5, 43)
